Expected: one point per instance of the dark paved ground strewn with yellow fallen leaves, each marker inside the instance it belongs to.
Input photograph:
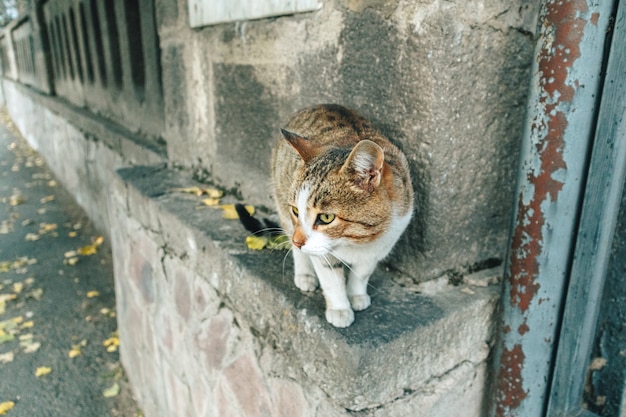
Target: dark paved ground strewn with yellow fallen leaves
(57, 302)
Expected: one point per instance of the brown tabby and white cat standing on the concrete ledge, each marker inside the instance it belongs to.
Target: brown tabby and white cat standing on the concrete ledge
(344, 196)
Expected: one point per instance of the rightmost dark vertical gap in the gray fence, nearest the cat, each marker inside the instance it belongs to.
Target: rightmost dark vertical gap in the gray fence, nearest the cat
(135, 46)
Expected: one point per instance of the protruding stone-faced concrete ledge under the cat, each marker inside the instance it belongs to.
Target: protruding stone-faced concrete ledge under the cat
(200, 314)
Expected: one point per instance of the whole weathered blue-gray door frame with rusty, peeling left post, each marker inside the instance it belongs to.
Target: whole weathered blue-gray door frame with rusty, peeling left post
(557, 144)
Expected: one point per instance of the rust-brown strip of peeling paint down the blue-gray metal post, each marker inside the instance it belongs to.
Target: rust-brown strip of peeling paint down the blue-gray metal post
(562, 28)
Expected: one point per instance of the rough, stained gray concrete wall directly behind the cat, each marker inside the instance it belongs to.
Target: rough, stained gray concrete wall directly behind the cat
(448, 80)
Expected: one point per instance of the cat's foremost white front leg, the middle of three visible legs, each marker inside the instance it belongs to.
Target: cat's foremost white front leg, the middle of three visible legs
(333, 283)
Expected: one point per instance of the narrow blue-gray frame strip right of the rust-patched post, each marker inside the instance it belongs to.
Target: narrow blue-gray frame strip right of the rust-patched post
(605, 183)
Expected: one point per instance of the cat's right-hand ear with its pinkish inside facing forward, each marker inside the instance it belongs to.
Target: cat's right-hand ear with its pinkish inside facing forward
(365, 162)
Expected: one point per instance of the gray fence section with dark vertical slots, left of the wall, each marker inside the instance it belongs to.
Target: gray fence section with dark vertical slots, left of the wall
(102, 55)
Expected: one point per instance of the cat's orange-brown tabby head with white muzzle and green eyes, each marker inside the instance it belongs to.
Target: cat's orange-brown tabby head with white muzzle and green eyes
(339, 197)
